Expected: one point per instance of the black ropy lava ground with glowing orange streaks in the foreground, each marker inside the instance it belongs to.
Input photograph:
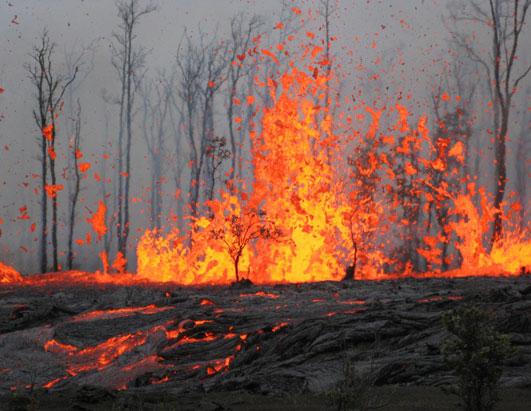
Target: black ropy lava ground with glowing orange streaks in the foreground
(92, 346)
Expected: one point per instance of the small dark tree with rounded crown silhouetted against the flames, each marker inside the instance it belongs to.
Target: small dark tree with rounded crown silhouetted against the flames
(240, 230)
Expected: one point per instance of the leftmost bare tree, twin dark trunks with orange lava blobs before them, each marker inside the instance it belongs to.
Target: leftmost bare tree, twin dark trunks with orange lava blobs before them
(50, 88)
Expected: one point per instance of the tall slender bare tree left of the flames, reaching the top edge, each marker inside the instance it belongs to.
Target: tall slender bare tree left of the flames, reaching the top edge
(128, 61)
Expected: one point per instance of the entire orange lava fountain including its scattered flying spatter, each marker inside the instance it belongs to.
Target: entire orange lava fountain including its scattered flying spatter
(373, 191)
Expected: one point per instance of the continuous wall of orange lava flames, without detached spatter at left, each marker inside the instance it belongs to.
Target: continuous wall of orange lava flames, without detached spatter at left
(327, 218)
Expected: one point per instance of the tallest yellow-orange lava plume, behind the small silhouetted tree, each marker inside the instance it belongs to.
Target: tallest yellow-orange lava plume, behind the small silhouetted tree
(294, 190)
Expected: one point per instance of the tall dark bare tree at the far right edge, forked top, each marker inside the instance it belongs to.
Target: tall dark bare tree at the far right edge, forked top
(505, 19)
